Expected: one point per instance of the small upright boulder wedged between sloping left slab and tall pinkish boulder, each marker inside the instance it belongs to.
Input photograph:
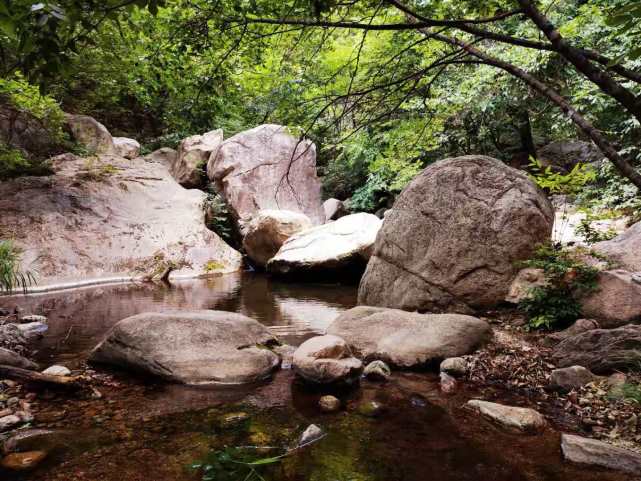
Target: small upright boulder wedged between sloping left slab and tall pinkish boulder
(191, 161)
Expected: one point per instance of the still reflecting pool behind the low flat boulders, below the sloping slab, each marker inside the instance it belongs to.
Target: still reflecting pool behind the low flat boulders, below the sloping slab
(78, 319)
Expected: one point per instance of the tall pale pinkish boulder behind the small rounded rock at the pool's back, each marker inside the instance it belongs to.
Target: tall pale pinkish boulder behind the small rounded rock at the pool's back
(267, 168)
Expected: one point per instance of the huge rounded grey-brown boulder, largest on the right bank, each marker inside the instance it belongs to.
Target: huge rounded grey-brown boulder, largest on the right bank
(454, 237)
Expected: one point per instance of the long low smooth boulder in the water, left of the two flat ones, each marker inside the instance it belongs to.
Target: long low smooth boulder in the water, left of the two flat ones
(191, 347)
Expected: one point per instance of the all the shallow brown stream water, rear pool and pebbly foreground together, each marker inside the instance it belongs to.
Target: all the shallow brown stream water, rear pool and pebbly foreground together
(141, 430)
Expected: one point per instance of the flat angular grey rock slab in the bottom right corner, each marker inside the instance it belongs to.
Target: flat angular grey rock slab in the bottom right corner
(591, 452)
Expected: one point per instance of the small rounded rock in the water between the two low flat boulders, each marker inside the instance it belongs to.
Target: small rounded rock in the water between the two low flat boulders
(326, 360)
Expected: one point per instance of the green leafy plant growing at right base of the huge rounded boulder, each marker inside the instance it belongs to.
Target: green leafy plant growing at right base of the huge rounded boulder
(568, 279)
